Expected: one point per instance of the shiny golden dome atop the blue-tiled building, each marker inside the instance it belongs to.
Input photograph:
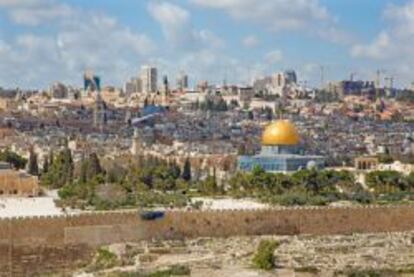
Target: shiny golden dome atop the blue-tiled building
(281, 132)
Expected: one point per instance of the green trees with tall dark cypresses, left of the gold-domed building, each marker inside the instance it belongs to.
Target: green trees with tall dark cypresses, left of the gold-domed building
(147, 181)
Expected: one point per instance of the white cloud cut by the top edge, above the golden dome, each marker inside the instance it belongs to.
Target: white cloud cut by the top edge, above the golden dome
(281, 15)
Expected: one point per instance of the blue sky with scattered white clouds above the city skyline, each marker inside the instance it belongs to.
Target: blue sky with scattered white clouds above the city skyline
(44, 41)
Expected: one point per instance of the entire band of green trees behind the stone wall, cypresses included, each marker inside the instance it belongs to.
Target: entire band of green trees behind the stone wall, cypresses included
(148, 181)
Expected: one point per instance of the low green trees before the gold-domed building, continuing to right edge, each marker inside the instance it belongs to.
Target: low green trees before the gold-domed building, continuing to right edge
(313, 187)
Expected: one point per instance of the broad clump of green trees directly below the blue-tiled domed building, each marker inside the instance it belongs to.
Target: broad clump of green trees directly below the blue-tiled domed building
(305, 187)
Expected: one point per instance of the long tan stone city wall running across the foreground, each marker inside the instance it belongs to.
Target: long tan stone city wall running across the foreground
(31, 246)
